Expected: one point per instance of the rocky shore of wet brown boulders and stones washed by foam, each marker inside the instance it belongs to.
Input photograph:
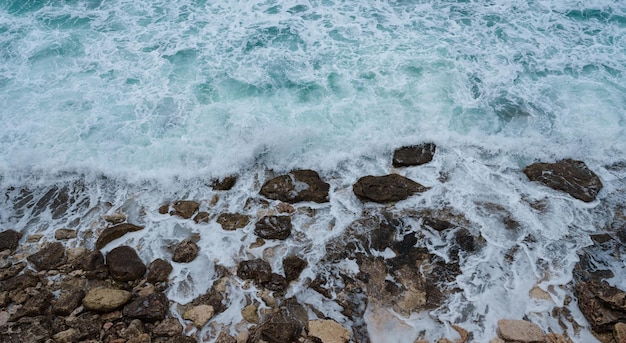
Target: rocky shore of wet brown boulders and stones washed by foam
(62, 294)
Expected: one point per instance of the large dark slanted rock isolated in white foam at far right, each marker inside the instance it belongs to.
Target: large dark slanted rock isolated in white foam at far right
(570, 176)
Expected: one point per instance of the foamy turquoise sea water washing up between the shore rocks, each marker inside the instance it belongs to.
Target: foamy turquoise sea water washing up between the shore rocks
(129, 104)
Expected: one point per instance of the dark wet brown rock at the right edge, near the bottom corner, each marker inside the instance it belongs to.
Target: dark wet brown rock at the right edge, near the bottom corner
(602, 315)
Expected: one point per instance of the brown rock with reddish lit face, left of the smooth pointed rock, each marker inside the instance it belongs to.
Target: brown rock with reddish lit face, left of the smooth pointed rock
(298, 185)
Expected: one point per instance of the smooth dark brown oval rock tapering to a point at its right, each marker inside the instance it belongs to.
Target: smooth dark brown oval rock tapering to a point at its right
(386, 189)
